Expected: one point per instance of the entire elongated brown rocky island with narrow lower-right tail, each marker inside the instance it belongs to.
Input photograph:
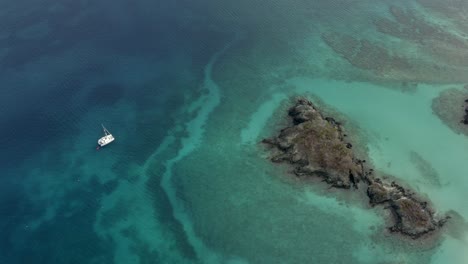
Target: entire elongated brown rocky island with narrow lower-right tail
(317, 146)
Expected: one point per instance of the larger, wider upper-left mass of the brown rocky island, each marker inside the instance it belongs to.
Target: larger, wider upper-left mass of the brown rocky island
(316, 146)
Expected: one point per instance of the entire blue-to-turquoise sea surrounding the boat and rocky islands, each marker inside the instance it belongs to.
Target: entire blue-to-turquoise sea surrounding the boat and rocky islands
(189, 88)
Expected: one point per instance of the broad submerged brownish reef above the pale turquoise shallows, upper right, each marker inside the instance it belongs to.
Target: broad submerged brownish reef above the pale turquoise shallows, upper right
(410, 48)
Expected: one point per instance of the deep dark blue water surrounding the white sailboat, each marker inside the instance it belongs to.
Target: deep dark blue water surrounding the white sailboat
(94, 59)
